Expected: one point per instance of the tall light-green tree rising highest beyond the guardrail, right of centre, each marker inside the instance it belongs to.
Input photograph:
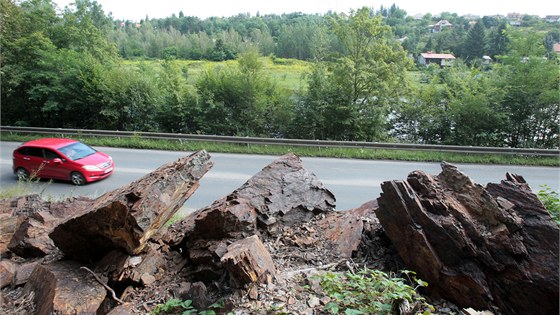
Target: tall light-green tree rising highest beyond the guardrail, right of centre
(367, 76)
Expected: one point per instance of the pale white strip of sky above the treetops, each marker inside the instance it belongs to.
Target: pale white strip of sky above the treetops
(135, 10)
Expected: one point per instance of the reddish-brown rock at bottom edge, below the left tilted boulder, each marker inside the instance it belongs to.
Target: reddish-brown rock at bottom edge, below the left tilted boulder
(63, 288)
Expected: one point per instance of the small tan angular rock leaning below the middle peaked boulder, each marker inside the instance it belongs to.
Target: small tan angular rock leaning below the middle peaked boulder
(248, 261)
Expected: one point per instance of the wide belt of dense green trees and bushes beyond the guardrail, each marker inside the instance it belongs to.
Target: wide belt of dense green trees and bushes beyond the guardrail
(80, 68)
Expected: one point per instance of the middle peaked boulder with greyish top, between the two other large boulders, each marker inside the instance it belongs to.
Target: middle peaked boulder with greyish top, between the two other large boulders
(282, 192)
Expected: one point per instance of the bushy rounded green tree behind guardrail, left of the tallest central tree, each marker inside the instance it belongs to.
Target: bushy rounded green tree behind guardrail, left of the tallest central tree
(240, 100)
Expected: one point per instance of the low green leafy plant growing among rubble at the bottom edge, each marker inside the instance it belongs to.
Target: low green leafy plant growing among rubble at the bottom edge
(367, 291)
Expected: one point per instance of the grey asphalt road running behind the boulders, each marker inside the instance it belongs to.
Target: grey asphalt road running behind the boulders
(353, 182)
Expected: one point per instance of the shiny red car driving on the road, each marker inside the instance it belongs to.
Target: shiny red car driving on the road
(64, 159)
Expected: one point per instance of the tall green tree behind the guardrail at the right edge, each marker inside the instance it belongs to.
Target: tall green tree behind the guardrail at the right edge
(530, 85)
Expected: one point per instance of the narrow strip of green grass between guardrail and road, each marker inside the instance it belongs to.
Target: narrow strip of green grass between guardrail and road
(357, 153)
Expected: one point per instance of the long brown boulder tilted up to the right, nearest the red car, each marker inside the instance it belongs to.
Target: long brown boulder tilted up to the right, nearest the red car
(127, 217)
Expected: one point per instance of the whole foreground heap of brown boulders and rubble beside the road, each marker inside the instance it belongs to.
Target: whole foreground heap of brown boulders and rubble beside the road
(258, 248)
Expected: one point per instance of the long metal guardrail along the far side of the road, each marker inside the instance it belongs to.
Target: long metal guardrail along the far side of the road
(288, 142)
